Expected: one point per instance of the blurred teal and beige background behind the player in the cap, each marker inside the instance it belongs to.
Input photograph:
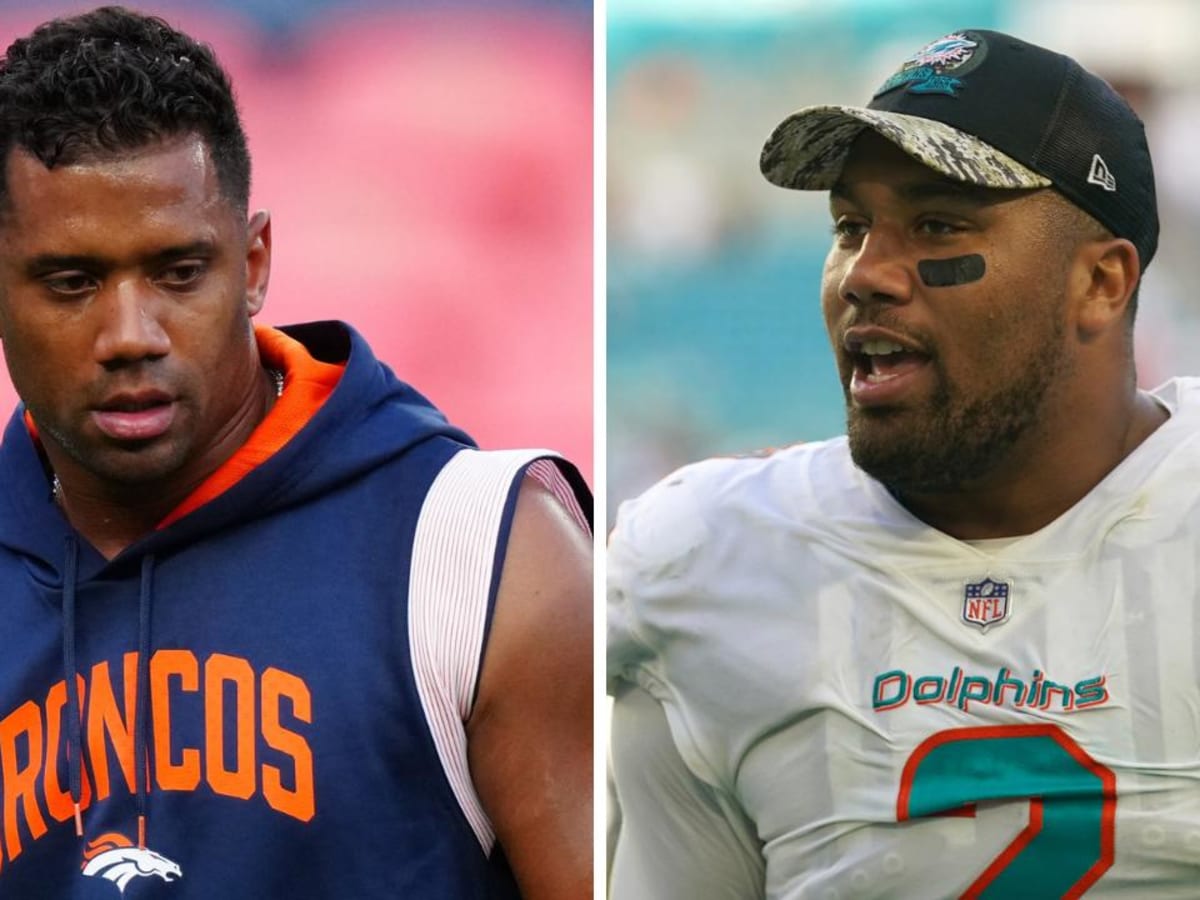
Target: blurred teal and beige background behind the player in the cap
(716, 343)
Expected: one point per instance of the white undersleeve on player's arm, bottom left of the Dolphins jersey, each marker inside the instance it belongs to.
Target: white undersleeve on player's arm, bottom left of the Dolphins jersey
(671, 837)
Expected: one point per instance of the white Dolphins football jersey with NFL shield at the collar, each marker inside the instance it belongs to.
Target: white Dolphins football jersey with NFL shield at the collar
(860, 706)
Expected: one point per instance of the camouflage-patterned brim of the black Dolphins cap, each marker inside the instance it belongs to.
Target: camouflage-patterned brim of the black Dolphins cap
(809, 148)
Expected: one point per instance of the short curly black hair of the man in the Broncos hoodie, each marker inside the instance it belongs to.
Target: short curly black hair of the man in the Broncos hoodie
(112, 80)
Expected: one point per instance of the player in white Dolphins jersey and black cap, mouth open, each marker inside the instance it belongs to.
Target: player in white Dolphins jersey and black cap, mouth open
(957, 652)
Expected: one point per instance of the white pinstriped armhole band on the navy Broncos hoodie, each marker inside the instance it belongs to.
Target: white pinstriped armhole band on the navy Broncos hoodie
(451, 583)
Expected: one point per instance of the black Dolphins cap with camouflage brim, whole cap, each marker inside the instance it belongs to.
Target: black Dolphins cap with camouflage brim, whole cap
(991, 110)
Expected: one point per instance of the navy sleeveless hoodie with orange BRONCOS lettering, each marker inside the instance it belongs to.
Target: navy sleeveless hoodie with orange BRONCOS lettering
(287, 753)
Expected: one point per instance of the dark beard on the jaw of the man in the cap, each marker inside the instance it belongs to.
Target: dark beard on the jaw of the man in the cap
(953, 441)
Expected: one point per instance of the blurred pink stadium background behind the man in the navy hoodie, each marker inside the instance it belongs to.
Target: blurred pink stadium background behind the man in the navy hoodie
(429, 175)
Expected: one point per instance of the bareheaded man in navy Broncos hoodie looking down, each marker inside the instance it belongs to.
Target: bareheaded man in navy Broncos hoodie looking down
(248, 575)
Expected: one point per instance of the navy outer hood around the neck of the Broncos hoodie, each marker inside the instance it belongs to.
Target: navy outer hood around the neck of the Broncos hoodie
(370, 418)
